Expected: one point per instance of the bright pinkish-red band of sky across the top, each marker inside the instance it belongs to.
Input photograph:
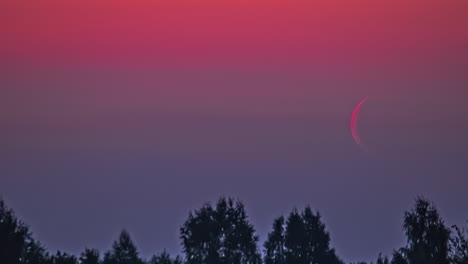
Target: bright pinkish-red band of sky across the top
(245, 33)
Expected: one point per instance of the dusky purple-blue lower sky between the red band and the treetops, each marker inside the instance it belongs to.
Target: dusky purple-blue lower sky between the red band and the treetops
(79, 166)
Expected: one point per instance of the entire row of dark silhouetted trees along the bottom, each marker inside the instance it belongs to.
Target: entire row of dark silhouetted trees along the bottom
(222, 234)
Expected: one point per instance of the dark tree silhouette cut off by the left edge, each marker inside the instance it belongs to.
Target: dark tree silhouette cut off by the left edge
(13, 236)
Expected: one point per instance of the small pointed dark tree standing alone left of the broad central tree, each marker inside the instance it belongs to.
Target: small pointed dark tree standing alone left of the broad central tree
(123, 251)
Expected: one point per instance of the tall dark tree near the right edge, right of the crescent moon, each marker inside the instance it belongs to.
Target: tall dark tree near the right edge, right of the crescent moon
(427, 236)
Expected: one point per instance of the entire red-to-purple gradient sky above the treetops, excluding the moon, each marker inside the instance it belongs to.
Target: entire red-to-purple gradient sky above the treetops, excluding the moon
(129, 114)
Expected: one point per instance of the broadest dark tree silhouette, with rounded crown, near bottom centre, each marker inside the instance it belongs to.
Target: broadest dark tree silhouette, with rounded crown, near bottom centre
(220, 235)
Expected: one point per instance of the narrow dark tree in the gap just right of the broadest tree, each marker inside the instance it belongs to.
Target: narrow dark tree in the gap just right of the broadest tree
(274, 245)
